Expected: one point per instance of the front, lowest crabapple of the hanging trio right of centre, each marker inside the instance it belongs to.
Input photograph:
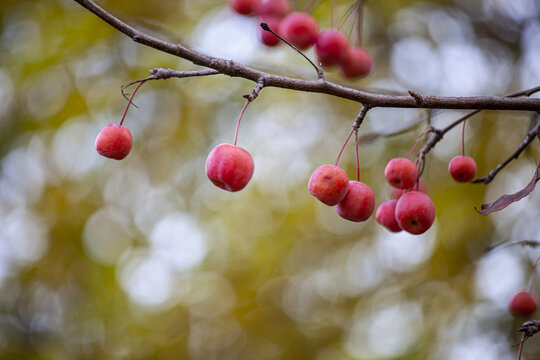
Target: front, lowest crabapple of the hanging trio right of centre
(415, 212)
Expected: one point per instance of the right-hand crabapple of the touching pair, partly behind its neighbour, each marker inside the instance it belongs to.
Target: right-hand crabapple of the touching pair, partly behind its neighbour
(358, 203)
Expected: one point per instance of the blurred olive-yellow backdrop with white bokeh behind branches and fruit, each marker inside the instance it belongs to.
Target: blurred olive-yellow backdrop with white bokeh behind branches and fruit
(145, 259)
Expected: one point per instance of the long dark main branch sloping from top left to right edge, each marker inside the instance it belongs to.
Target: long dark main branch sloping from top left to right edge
(235, 69)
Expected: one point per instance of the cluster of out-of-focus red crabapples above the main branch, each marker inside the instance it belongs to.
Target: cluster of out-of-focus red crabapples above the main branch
(302, 31)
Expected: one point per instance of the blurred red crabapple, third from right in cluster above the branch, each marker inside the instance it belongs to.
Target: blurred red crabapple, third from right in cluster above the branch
(299, 29)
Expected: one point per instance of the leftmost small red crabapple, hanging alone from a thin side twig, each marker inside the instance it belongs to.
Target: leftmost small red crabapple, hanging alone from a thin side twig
(114, 141)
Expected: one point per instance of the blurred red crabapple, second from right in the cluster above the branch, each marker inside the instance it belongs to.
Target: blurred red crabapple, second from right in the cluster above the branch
(331, 47)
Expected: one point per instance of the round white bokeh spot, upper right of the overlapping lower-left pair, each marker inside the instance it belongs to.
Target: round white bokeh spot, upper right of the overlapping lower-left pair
(178, 241)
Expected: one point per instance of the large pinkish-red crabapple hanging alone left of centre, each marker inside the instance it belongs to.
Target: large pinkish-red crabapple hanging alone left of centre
(229, 167)
